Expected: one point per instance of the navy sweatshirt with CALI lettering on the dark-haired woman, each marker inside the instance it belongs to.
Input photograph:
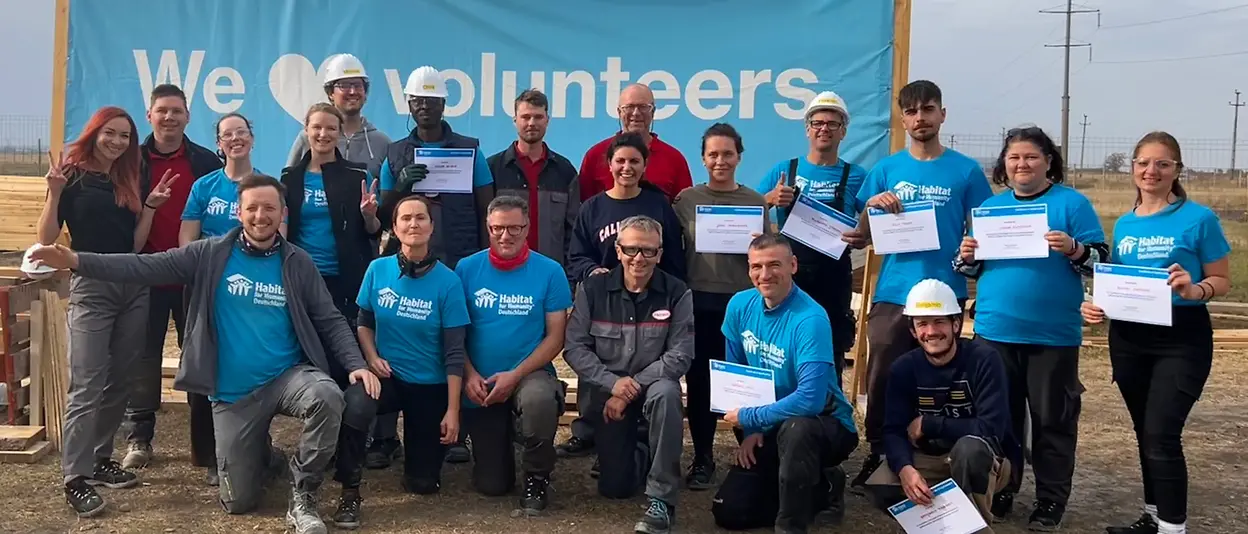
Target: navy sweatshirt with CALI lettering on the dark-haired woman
(593, 243)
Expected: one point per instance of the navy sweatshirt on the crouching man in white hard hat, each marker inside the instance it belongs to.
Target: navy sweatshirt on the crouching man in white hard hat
(965, 397)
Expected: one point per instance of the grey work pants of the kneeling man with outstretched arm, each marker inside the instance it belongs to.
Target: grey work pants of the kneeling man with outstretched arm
(244, 441)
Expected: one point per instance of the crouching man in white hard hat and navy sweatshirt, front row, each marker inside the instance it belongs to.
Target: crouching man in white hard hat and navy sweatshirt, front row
(947, 410)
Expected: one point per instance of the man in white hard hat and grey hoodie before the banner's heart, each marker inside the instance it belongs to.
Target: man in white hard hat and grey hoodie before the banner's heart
(346, 84)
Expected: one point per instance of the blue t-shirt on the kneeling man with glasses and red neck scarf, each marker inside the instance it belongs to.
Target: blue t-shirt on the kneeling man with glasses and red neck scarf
(509, 309)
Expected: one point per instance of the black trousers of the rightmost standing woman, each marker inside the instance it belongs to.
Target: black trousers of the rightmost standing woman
(1161, 374)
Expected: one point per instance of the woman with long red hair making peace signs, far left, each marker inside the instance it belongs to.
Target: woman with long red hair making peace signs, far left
(94, 189)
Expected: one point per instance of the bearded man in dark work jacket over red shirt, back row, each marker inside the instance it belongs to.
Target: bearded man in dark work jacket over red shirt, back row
(531, 170)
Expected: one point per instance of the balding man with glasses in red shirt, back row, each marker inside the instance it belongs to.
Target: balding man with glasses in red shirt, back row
(667, 168)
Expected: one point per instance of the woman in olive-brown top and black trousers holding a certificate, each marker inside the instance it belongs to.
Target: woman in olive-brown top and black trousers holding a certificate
(714, 278)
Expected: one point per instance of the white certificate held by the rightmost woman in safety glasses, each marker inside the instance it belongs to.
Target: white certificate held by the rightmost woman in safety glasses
(1141, 295)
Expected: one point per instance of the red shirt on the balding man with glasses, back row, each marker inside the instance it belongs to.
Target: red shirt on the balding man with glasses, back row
(666, 168)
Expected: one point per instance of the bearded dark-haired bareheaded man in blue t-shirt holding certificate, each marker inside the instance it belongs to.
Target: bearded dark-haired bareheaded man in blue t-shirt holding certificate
(928, 172)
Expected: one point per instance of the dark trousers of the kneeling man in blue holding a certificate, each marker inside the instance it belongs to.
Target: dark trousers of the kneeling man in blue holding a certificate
(787, 486)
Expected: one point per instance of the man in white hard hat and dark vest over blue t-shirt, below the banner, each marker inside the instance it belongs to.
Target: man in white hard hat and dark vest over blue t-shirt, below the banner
(459, 219)
